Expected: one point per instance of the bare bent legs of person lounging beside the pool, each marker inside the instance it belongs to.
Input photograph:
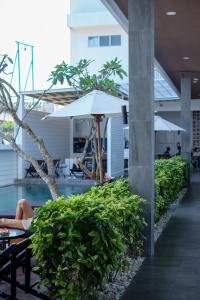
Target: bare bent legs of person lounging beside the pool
(23, 217)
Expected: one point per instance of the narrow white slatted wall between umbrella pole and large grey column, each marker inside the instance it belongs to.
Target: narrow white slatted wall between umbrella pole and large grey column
(115, 147)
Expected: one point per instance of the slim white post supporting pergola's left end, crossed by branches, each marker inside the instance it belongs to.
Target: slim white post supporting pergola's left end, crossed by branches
(19, 140)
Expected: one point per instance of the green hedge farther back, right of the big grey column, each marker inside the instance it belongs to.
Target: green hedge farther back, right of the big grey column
(169, 180)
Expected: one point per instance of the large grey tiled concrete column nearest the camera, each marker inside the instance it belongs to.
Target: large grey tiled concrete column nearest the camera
(141, 95)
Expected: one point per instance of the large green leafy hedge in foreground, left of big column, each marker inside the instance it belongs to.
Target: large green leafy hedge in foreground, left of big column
(80, 242)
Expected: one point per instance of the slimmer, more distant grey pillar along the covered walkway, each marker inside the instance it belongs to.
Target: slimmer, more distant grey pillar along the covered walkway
(186, 118)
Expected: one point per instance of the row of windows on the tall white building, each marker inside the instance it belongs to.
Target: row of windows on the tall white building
(104, 40)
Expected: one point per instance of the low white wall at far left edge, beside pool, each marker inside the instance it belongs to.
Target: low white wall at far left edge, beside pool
(8, 167)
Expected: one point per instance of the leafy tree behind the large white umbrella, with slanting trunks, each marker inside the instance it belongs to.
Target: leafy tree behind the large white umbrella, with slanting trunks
(83, 82)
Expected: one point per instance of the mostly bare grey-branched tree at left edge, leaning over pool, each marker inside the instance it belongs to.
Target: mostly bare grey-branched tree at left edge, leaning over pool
(10, 107)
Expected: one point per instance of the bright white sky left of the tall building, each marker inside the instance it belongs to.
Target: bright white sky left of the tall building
(41, 23)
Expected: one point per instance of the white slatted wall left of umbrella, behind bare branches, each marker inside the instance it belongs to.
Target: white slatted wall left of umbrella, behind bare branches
(56, 135)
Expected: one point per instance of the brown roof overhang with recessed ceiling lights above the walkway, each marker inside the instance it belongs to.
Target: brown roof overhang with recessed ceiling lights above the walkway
(176, 37)
